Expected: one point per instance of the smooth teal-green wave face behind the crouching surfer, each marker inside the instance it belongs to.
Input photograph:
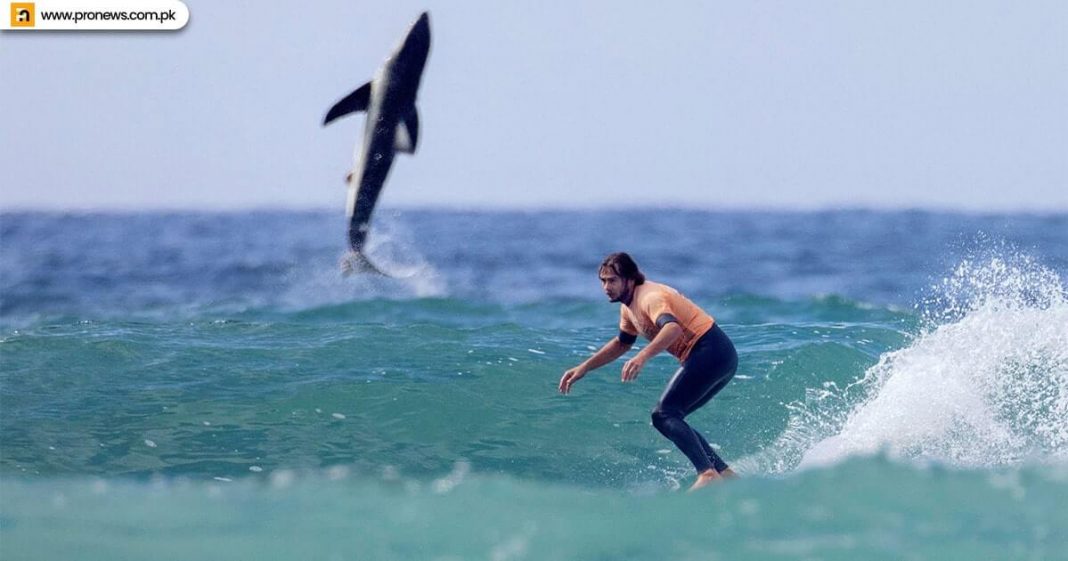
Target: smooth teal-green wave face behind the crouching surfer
(413, 384)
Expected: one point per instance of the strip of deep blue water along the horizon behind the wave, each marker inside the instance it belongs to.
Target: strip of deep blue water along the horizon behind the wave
(102, 266)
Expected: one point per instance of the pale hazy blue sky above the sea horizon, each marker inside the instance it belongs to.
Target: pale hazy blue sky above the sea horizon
(786, 105)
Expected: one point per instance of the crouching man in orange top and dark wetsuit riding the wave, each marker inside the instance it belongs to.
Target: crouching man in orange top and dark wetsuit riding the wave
(674, 324)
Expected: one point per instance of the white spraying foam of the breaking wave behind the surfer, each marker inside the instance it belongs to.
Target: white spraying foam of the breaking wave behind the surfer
(984, 384)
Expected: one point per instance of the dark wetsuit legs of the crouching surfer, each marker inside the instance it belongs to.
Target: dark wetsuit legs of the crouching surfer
(710, 368)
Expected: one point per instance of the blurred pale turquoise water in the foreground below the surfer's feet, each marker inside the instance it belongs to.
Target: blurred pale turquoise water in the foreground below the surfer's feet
(869, 509)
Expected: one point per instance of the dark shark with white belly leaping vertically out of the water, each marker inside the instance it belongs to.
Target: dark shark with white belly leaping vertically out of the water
(392, 127)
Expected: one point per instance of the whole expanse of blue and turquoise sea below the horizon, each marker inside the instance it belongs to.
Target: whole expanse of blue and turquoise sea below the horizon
(180, 386)
